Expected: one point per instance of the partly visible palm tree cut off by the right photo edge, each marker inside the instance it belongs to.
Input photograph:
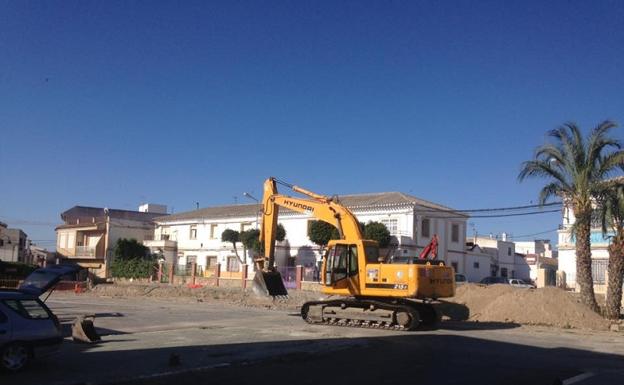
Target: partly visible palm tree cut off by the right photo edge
(612, 217)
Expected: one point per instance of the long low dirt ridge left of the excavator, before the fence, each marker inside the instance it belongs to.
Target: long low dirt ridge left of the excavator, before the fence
(235, 296)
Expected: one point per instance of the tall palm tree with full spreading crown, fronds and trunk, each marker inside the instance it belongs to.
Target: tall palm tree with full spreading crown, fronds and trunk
(576, 168)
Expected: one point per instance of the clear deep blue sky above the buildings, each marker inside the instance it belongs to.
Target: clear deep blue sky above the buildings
(116, 103)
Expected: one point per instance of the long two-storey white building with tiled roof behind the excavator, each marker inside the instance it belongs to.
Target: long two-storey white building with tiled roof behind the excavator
(196, 235)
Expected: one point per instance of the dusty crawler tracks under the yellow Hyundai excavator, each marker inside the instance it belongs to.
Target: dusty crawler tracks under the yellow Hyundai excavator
(400, 314)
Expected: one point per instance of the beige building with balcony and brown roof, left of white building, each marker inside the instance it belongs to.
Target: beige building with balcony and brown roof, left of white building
(88, 234)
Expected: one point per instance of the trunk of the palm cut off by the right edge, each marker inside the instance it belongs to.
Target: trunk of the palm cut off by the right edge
(616, 275)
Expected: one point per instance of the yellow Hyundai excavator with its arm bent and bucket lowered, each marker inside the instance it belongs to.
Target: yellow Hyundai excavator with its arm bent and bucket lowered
(364, 290)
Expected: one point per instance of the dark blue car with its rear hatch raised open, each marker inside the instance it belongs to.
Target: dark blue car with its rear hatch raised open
(28, 328)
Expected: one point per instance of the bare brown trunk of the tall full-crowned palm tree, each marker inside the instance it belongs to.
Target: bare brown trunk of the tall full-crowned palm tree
(583, 262)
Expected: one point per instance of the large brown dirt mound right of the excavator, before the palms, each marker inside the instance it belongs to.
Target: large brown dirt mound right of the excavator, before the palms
(547, 306)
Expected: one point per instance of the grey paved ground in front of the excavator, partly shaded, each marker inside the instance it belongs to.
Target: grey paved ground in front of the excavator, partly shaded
(143, 339)
